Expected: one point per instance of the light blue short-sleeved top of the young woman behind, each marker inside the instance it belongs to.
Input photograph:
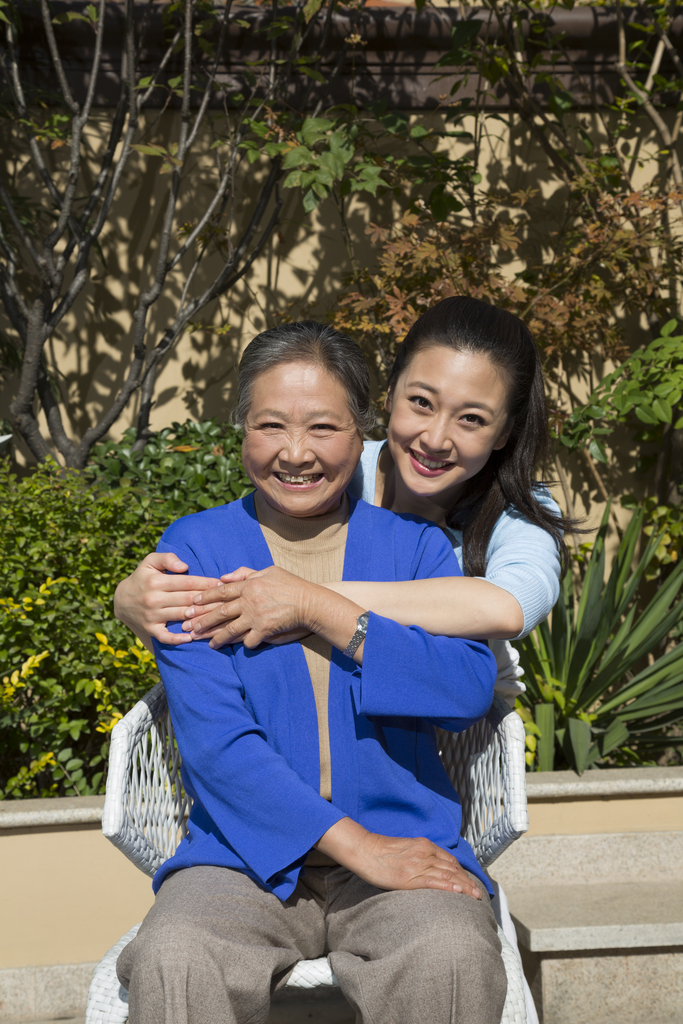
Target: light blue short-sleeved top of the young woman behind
(522, 559)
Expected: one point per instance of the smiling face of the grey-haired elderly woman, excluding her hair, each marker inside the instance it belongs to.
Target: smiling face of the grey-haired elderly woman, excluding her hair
(302, 444)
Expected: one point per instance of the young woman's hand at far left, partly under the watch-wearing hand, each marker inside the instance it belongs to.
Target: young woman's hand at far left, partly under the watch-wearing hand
(150, 598)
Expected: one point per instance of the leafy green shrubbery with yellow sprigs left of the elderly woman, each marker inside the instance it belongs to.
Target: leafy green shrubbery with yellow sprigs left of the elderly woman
(69, 669)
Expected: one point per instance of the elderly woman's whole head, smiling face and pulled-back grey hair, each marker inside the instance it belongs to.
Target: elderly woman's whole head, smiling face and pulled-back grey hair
(304, 421)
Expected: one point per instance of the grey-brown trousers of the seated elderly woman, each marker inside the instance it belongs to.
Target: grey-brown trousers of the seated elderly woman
(216, 947)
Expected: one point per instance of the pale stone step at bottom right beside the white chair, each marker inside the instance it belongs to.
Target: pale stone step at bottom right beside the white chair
(603, 954)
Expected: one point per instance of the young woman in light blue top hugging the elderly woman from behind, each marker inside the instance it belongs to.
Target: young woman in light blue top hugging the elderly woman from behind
(467, 431)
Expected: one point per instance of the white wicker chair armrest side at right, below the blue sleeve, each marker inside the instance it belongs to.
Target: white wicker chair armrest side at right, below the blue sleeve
(487, 766)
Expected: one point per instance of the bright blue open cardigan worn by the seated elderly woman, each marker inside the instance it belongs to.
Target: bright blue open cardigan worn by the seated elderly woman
(246, 722)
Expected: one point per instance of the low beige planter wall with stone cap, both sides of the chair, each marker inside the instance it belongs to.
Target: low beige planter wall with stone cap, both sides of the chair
(68, 894)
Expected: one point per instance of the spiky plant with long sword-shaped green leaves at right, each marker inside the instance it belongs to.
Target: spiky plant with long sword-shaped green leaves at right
(595, 684)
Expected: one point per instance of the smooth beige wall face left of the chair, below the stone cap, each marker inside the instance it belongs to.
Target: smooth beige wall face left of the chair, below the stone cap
(67, 895)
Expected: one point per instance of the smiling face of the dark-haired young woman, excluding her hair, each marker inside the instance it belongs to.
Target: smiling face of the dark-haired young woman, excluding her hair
(449, 412)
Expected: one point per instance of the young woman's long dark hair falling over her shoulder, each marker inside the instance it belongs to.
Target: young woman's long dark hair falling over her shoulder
(507, 481)
